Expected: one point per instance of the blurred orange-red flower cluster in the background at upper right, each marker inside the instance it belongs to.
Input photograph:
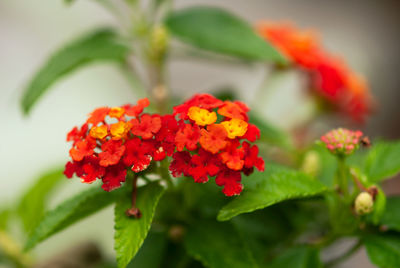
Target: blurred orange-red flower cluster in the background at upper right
(331, 79)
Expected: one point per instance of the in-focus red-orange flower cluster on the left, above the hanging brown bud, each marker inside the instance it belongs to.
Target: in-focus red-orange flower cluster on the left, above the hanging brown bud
(115, 139)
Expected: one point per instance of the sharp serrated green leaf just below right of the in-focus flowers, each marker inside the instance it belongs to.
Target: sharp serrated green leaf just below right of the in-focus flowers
(274, 185)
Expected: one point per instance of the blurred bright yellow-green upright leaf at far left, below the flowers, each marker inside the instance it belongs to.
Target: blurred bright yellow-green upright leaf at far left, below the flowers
(32, 204)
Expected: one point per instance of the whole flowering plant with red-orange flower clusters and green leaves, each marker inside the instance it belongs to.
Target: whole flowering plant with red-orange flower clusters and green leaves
(287, 195)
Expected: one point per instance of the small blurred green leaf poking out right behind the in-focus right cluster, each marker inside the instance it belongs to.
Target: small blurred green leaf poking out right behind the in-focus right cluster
(270, 133)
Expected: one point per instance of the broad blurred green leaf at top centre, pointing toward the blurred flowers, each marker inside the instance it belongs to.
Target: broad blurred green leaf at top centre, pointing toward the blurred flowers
(217, 30)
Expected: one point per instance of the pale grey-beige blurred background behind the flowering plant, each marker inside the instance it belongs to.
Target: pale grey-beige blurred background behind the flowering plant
(365, 32)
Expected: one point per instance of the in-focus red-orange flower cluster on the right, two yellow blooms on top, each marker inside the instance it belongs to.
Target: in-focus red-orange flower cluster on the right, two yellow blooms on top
(209, 145)
